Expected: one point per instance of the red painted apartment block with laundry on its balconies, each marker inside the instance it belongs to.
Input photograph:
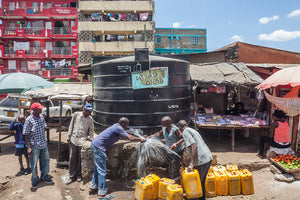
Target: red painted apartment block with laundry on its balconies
(39, 37)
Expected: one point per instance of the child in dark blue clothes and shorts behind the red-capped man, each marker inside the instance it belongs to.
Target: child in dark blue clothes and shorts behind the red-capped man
(21, 148)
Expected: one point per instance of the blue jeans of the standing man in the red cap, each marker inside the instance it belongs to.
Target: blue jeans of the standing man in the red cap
(43, 156)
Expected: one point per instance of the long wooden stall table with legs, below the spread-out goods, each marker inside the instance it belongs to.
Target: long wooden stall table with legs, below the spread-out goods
(230, 127)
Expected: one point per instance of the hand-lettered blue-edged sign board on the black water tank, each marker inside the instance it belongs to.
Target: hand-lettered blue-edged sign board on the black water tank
(153, 78)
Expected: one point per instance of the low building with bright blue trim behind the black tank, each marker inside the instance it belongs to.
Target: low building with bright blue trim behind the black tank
(180, 40)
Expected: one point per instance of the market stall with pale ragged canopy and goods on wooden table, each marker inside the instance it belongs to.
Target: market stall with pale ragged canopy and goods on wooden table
(218, 90)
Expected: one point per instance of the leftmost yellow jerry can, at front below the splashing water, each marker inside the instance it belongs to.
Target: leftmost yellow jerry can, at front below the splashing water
(143, 189)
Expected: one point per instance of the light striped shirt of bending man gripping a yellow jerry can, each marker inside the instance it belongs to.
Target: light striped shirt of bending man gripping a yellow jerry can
(192, 136)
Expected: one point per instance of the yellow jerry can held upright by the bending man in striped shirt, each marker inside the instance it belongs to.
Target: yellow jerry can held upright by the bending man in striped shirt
(191, 184)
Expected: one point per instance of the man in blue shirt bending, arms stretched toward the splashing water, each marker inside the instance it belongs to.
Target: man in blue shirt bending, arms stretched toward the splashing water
(99, 146)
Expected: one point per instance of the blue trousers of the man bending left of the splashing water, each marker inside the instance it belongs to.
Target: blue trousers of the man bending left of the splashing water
(99, 176)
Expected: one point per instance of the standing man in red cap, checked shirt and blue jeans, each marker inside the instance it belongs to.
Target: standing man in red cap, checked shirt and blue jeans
(35, 138)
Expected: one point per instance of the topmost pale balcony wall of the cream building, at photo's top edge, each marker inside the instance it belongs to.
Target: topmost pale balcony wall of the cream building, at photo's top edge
(117, 6)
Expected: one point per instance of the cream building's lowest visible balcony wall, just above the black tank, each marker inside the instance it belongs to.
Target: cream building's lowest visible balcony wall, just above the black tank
(117, 48)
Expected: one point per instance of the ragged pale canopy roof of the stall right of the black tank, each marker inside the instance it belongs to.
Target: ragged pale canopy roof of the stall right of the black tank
(224, 73)
